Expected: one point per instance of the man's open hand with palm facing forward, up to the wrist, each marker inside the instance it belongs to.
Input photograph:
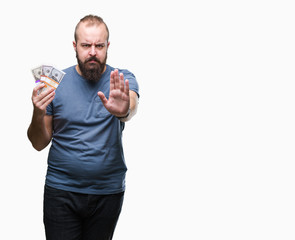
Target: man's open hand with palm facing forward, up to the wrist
(119, 101)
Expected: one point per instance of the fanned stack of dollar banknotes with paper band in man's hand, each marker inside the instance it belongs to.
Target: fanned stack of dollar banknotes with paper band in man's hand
(48, 75)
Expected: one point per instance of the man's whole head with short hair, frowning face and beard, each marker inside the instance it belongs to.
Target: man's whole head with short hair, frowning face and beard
(91, 45)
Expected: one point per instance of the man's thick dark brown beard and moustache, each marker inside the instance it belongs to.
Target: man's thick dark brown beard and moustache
(92, 71)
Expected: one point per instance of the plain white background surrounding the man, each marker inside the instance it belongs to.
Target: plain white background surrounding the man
(211, 151)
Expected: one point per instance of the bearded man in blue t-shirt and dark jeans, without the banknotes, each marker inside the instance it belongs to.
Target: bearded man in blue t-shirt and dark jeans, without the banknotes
(84, 118)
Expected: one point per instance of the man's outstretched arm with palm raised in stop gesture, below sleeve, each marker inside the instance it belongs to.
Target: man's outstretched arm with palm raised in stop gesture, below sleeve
(121, 99)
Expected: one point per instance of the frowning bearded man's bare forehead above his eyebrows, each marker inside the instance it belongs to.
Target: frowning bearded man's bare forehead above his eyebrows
(91, 32)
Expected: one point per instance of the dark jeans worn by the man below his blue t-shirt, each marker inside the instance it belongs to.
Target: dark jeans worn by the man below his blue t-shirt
(75, 216)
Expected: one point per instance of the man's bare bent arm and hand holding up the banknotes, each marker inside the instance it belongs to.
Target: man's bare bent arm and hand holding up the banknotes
(40, 129)
